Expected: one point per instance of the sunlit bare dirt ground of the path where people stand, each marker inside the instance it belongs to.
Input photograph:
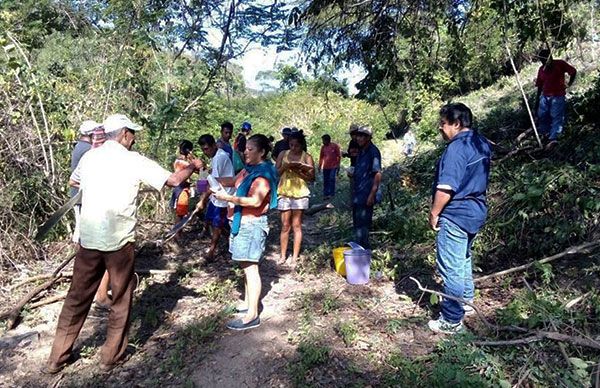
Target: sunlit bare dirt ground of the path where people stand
(178, 335)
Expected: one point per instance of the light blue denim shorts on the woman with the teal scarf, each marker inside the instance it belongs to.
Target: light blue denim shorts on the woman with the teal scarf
(249, 243)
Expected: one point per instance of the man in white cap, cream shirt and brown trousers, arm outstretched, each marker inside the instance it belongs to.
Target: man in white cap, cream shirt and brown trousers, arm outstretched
(109, 177)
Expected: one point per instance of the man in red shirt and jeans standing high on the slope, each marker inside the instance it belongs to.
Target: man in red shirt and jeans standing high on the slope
(550, 101)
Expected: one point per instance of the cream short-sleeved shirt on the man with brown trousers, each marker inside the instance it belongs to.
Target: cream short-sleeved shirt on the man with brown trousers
(110, 177)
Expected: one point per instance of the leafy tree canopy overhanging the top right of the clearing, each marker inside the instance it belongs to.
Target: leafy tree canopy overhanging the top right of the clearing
(446, 46)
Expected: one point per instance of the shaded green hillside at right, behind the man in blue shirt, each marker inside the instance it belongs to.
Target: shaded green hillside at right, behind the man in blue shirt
(540, 204)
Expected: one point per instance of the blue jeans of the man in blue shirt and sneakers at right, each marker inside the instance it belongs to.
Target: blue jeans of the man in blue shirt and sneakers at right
(455, 267)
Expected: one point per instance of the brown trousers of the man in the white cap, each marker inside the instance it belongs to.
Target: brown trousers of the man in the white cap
(87, 272)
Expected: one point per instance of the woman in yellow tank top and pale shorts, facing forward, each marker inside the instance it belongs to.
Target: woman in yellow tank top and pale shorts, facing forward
(296, 169)
